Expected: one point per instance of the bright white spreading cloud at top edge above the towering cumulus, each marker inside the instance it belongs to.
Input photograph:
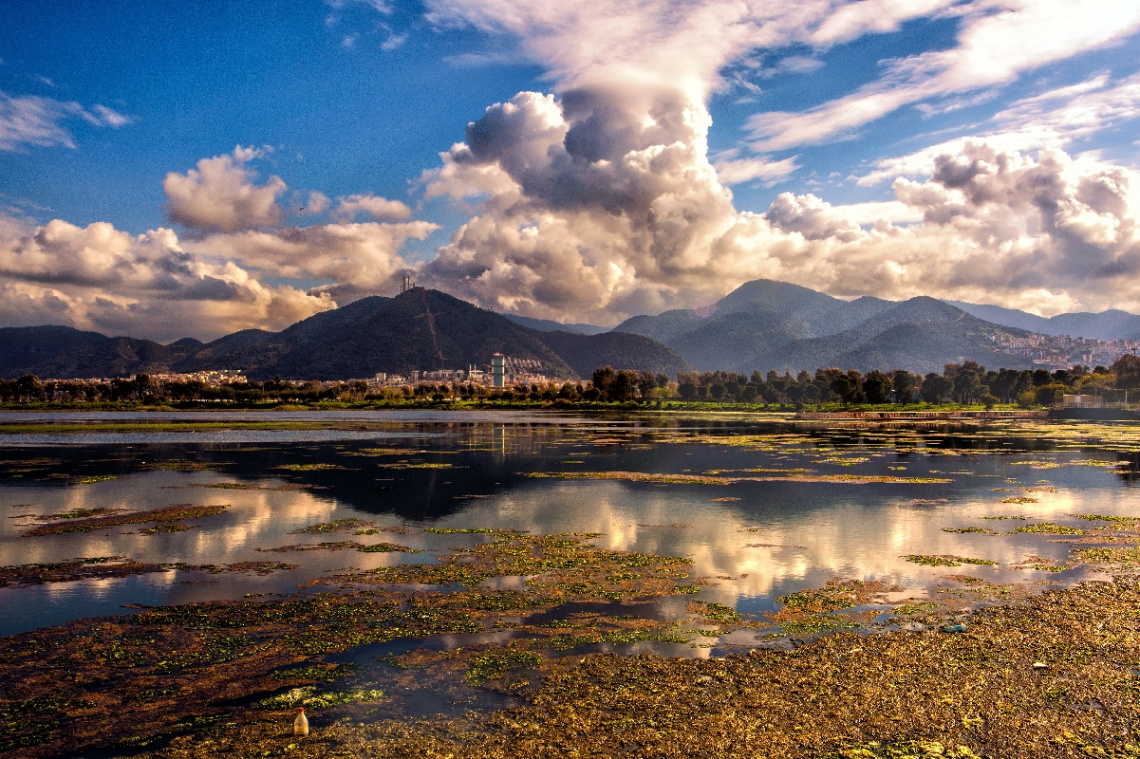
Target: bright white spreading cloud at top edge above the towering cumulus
(682, 45)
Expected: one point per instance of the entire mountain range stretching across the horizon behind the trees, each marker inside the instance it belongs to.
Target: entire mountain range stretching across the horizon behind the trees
(762, 325)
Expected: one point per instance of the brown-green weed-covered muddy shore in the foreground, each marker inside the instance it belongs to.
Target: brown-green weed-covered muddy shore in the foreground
(1049, 675)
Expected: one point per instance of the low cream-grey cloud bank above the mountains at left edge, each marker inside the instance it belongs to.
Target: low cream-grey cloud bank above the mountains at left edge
(102, 279)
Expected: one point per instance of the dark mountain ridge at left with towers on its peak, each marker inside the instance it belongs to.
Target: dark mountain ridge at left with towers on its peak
(420, 330)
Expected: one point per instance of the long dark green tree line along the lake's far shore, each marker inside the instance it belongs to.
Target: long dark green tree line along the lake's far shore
(963, 383)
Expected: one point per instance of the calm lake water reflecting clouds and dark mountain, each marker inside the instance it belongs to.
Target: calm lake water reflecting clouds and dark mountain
(755, 540)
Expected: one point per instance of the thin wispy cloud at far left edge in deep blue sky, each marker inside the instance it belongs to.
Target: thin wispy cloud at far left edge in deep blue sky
(32, 120)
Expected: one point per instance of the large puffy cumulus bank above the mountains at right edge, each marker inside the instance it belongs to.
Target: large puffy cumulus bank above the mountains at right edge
(1045, 233)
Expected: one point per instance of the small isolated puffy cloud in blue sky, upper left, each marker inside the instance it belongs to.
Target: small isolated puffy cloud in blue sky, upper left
(222, 194)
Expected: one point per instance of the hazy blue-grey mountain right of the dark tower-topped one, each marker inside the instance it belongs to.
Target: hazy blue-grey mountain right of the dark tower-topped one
(772, 325)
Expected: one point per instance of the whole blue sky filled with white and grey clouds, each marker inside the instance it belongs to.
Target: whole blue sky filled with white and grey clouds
(173, 170)
